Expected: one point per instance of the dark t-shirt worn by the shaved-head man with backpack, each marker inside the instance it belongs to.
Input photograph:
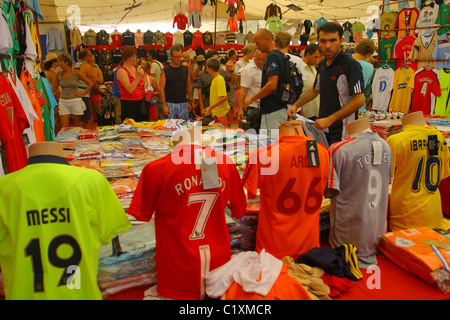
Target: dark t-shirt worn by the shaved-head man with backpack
(273, 66)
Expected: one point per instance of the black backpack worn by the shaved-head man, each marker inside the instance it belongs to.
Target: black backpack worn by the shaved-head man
(290, 85)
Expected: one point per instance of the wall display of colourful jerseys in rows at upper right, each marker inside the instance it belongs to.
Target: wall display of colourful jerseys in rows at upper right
(415, 45)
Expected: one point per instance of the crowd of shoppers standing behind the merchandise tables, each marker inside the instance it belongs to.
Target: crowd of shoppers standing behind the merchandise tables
(224, 89)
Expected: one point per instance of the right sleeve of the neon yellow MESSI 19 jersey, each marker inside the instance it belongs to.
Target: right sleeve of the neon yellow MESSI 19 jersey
(111, 216)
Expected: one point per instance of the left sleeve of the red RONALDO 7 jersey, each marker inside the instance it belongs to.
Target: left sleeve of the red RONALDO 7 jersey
(142, 204)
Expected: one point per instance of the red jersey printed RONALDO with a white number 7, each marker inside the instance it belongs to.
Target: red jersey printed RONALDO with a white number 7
(192, 237)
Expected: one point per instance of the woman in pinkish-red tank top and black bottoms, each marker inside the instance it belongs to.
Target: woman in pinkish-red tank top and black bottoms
(131, 82)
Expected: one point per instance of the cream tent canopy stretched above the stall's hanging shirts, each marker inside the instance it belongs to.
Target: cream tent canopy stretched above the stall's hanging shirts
(117, 13)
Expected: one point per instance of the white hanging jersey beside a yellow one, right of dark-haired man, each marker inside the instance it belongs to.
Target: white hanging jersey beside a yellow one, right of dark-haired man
(382, 86)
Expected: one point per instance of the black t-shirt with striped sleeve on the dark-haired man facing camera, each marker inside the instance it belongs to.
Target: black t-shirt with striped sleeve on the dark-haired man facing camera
(337, 83)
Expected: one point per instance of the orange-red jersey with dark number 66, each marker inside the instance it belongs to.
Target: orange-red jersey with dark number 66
(291, 193)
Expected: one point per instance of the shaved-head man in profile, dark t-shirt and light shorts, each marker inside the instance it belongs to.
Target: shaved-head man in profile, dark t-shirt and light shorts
(273, 109)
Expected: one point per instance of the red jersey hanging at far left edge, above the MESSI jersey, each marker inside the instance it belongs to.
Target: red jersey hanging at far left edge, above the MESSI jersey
(13, 121)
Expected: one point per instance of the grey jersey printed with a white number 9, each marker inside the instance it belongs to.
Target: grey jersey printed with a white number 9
(358, 186)
